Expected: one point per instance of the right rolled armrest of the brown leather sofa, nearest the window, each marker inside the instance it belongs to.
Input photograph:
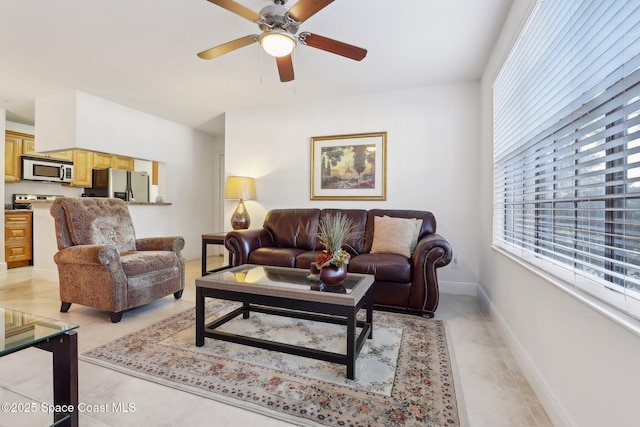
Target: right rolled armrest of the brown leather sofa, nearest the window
(432, 252)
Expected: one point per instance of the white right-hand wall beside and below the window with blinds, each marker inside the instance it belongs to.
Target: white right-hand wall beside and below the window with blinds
(583, 366)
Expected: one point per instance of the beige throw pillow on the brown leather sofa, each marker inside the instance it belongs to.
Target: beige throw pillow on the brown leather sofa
(395, 235)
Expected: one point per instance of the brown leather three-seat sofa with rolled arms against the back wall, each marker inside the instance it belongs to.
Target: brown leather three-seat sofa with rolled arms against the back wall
(289, 239)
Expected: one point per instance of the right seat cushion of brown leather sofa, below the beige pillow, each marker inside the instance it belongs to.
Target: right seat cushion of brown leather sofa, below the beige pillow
(387, 267)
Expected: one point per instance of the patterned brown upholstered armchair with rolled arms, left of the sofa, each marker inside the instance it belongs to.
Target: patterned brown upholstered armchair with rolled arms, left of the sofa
(102, 265)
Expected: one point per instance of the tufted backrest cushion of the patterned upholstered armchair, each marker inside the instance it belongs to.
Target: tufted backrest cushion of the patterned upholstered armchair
(99, 221)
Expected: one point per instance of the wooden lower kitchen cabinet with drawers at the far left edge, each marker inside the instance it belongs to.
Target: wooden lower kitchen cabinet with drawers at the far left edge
(17, 238)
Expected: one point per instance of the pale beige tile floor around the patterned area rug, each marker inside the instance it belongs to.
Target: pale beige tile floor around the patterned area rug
(492, 386)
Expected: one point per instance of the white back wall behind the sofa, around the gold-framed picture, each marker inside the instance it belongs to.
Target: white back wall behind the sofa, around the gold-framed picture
(432, 151)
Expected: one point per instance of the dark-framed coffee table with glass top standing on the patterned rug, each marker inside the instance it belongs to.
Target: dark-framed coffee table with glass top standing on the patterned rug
(288, 292)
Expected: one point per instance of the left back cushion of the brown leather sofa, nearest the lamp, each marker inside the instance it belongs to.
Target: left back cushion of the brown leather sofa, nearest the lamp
(293, 228)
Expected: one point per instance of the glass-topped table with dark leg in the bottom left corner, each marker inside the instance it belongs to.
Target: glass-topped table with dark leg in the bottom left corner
(19, 330)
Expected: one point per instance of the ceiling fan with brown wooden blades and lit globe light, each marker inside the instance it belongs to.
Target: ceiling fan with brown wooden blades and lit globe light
(279, 25)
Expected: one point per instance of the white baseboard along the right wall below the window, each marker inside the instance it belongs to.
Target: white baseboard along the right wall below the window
(544, 393)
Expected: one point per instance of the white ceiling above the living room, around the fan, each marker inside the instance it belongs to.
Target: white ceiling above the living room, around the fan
(142, 53)
